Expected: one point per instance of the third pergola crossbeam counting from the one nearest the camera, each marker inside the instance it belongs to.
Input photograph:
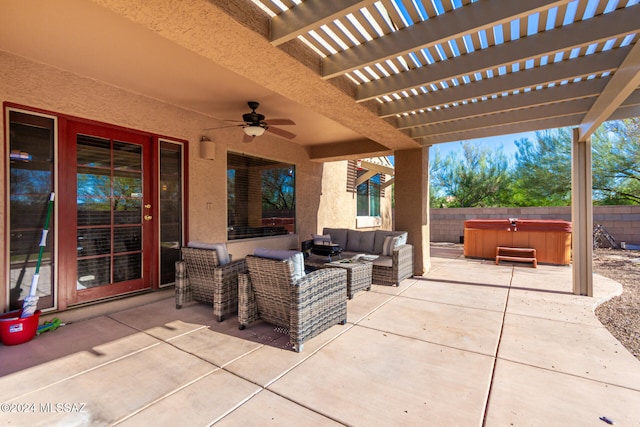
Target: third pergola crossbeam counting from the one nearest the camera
(595, 30)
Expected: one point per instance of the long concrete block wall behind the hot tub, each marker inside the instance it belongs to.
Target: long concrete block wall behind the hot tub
(622, 222)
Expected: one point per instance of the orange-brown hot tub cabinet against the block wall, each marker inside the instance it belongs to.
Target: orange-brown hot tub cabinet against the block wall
(550, 238)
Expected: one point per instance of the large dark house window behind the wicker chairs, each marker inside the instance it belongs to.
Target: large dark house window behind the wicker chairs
(260, 197)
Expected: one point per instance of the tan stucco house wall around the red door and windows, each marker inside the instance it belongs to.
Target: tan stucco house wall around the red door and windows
(318, 204)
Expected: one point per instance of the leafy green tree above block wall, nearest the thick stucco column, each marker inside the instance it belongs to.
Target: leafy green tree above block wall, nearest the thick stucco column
(479, 179)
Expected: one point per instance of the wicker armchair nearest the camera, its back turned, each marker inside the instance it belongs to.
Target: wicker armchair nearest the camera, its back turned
(306, 307)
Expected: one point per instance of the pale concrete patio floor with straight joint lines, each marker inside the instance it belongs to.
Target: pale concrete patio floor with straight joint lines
(468, 344)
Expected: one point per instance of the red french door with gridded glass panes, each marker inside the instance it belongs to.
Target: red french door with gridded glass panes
(106, 227)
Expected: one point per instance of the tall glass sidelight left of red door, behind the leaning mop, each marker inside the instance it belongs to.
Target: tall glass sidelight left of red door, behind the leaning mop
(31, 163)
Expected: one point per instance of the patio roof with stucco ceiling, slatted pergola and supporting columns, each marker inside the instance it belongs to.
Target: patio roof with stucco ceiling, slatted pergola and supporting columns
(366, 78)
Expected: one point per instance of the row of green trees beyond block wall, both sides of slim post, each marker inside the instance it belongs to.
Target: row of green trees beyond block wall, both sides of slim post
(541, 174)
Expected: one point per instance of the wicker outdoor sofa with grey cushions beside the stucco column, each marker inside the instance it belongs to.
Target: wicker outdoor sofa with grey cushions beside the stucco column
(394, 261)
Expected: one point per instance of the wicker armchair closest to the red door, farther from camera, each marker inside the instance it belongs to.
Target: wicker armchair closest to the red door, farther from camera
(201, 278)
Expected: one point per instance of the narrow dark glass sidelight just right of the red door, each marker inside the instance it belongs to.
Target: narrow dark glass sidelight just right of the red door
(170, 209)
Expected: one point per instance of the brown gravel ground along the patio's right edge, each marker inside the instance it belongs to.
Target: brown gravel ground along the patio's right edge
(621, 315)
